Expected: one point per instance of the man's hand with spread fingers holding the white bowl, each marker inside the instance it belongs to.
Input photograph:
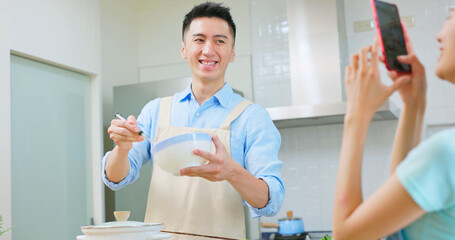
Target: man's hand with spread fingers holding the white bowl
(220, 166)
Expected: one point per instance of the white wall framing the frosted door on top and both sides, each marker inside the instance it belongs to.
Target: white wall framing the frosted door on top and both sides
(62, 33)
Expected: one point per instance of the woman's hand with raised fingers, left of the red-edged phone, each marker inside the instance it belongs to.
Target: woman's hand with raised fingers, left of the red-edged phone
(364, 89)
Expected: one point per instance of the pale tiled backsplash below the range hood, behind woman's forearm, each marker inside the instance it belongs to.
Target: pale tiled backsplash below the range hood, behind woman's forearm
(310, 156)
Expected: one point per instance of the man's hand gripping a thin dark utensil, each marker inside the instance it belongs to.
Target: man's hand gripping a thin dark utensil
(124, 133)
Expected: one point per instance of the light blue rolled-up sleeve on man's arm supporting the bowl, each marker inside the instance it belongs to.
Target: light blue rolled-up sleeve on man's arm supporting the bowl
(261, 158)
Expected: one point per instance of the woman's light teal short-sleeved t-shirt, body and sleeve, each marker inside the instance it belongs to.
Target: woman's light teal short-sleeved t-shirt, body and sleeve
(428, 175)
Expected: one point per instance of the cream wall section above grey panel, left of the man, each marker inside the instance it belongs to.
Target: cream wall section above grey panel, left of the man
(118, 52)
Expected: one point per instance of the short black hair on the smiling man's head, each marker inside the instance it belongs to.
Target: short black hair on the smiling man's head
(208, 9)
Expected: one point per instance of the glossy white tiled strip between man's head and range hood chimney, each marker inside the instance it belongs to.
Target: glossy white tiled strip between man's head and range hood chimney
(270, 53)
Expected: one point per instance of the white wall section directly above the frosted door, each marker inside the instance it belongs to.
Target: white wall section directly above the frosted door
(64, 32)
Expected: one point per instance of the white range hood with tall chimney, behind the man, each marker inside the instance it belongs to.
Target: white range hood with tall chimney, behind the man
(318, 54)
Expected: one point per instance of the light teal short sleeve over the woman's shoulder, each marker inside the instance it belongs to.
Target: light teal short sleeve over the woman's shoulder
(427, 172)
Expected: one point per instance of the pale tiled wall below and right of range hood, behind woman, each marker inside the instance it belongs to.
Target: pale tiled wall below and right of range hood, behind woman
(310, 154)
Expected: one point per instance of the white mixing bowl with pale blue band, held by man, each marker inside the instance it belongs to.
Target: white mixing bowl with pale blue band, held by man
(176, 152)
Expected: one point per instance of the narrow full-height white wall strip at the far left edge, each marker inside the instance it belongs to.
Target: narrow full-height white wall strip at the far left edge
(5, 120)
